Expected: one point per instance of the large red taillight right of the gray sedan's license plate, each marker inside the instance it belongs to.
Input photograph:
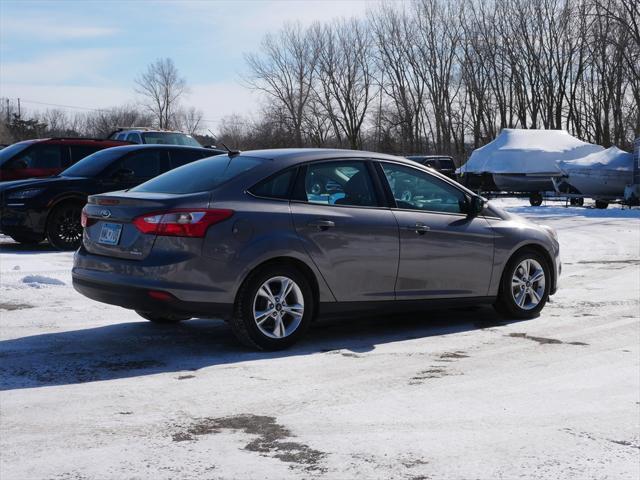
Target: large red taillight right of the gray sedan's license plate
(181, 223)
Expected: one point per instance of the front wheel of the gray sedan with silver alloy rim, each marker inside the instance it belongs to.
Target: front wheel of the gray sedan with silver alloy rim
(523, 294)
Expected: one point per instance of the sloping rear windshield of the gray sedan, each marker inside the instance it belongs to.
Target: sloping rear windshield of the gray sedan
(201, 176)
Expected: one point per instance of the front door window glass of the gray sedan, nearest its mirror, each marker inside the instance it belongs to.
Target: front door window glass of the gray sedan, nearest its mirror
(416, 190)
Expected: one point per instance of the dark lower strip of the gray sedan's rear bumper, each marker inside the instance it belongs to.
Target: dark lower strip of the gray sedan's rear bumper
(136, 298)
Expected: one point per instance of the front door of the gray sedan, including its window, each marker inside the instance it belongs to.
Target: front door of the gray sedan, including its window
(443, 252)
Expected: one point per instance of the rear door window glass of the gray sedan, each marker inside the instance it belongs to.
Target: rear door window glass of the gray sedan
(338, 183)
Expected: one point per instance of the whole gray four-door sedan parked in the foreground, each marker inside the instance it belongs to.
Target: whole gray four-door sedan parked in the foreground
(271, 239)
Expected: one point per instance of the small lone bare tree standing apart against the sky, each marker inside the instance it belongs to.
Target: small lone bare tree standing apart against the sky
(162, 86)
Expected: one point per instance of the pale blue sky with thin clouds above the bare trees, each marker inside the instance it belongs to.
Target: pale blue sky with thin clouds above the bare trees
(88, 53)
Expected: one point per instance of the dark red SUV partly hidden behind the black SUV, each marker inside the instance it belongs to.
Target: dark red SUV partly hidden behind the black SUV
(48, 156)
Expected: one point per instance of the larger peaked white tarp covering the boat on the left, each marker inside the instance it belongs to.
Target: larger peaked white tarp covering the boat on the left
(527, 151)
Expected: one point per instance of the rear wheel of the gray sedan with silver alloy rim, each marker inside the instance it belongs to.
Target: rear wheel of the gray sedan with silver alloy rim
(265, 320)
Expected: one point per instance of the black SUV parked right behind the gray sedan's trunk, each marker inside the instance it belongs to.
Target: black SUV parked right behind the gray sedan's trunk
(31, 210)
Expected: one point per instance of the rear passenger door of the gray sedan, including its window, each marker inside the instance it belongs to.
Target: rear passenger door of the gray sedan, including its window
(338, 213)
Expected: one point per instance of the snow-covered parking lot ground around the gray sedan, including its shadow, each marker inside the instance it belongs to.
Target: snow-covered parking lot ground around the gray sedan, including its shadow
(90, 391)
